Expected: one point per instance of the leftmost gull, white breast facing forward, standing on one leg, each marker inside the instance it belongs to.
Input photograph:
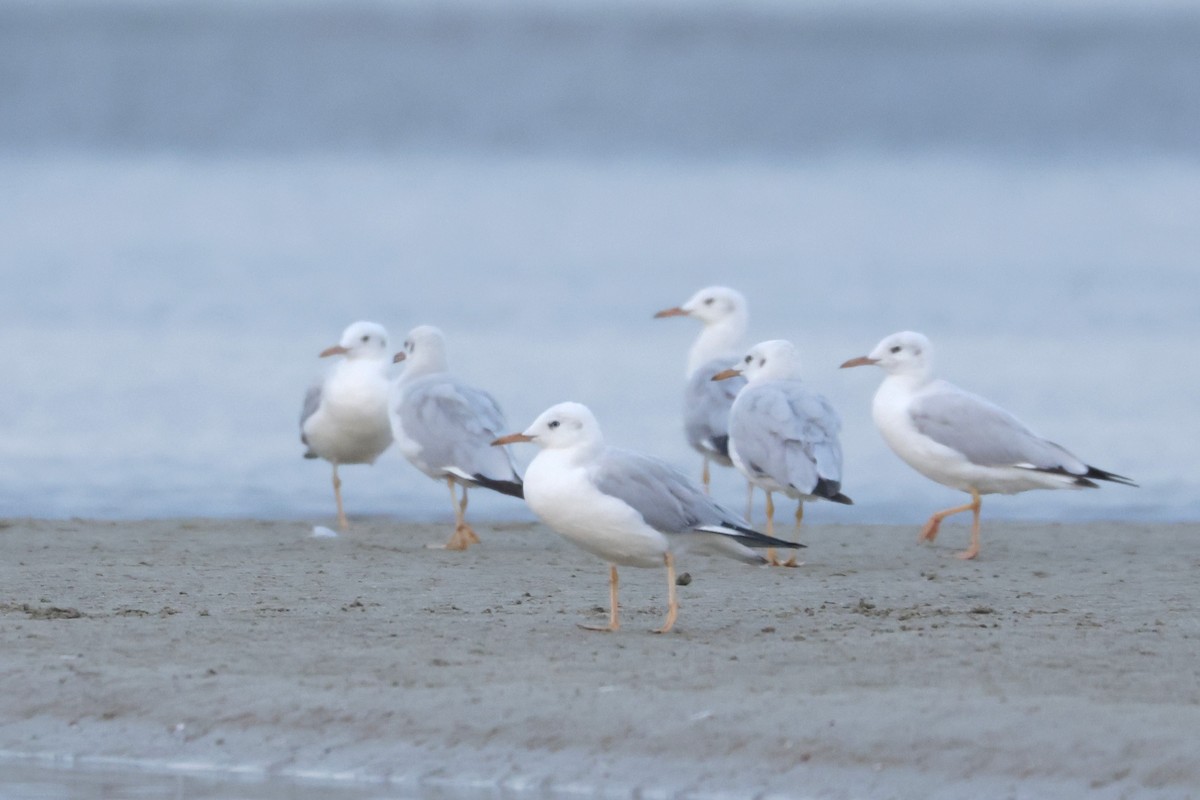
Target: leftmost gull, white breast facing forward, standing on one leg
(345, 417)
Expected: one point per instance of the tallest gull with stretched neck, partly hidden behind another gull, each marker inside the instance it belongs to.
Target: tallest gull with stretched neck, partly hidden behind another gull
(707, 405)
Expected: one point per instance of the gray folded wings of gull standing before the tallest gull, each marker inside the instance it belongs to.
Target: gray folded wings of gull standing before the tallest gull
(789, 434)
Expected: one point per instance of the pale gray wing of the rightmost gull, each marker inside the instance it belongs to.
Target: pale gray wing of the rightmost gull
(986, 434)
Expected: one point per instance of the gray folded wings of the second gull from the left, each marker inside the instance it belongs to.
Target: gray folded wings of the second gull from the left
(455, 426)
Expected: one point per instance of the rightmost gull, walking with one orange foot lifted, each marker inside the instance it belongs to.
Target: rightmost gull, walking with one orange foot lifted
(961, 440)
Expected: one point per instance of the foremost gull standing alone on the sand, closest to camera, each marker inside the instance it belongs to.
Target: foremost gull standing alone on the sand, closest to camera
(628, 509)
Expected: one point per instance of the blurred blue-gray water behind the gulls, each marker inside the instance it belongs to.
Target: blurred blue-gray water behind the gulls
(197, 197)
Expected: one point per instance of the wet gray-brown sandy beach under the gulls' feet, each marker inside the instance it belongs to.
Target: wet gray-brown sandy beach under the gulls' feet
(1065, 661)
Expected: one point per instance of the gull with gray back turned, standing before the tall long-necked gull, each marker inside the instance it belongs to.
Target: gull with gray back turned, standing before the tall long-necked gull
(784, 436)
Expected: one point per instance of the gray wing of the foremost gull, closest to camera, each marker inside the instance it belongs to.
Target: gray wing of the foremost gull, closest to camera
(665, 498)
